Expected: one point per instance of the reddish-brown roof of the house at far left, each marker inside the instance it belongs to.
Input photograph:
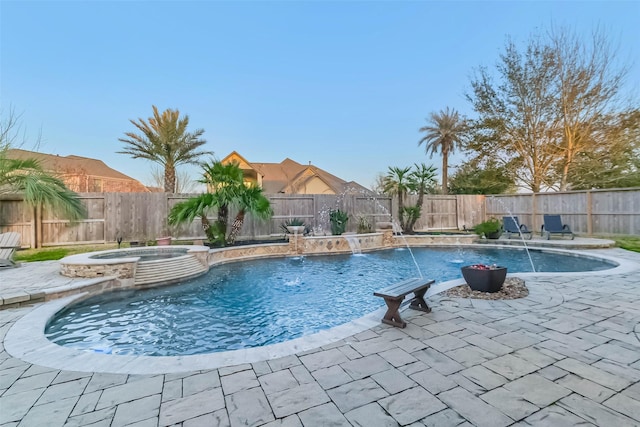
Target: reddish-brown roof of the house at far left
(69, 164)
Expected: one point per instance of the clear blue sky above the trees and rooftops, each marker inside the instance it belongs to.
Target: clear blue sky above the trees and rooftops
(342, 84)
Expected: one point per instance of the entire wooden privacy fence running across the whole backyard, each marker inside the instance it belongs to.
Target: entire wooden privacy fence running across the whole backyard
(142, 216)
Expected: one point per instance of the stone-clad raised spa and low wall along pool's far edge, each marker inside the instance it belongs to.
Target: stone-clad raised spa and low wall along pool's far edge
(129, 269)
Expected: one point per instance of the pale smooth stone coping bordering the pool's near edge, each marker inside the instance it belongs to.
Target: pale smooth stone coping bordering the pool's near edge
(40, 351)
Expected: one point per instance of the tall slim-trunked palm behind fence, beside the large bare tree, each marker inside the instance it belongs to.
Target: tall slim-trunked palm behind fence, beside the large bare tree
(444, 132)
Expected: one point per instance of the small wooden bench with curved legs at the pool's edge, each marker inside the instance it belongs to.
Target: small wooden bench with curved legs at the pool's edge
(395, 294)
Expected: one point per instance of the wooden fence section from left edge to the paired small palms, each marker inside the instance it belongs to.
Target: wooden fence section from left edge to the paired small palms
(142, 216)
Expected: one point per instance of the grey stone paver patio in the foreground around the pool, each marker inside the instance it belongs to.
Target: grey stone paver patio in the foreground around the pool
(566, 355)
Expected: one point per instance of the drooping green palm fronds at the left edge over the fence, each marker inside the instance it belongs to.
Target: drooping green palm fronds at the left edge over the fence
(37, 186)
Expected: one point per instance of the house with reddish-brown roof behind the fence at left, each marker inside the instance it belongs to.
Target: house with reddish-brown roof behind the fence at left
(82, 174)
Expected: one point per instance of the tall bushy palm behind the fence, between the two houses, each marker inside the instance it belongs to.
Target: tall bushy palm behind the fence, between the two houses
(164, 139)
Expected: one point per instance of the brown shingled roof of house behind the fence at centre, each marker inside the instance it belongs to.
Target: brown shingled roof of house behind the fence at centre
(289, 176)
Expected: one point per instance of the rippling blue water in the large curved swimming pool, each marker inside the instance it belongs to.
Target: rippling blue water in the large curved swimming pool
(254, 303)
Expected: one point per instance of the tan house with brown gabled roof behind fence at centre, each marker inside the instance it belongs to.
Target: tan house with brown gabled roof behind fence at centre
(290, 177)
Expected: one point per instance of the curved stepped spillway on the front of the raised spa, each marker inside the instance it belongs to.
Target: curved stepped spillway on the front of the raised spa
(168, 270)
